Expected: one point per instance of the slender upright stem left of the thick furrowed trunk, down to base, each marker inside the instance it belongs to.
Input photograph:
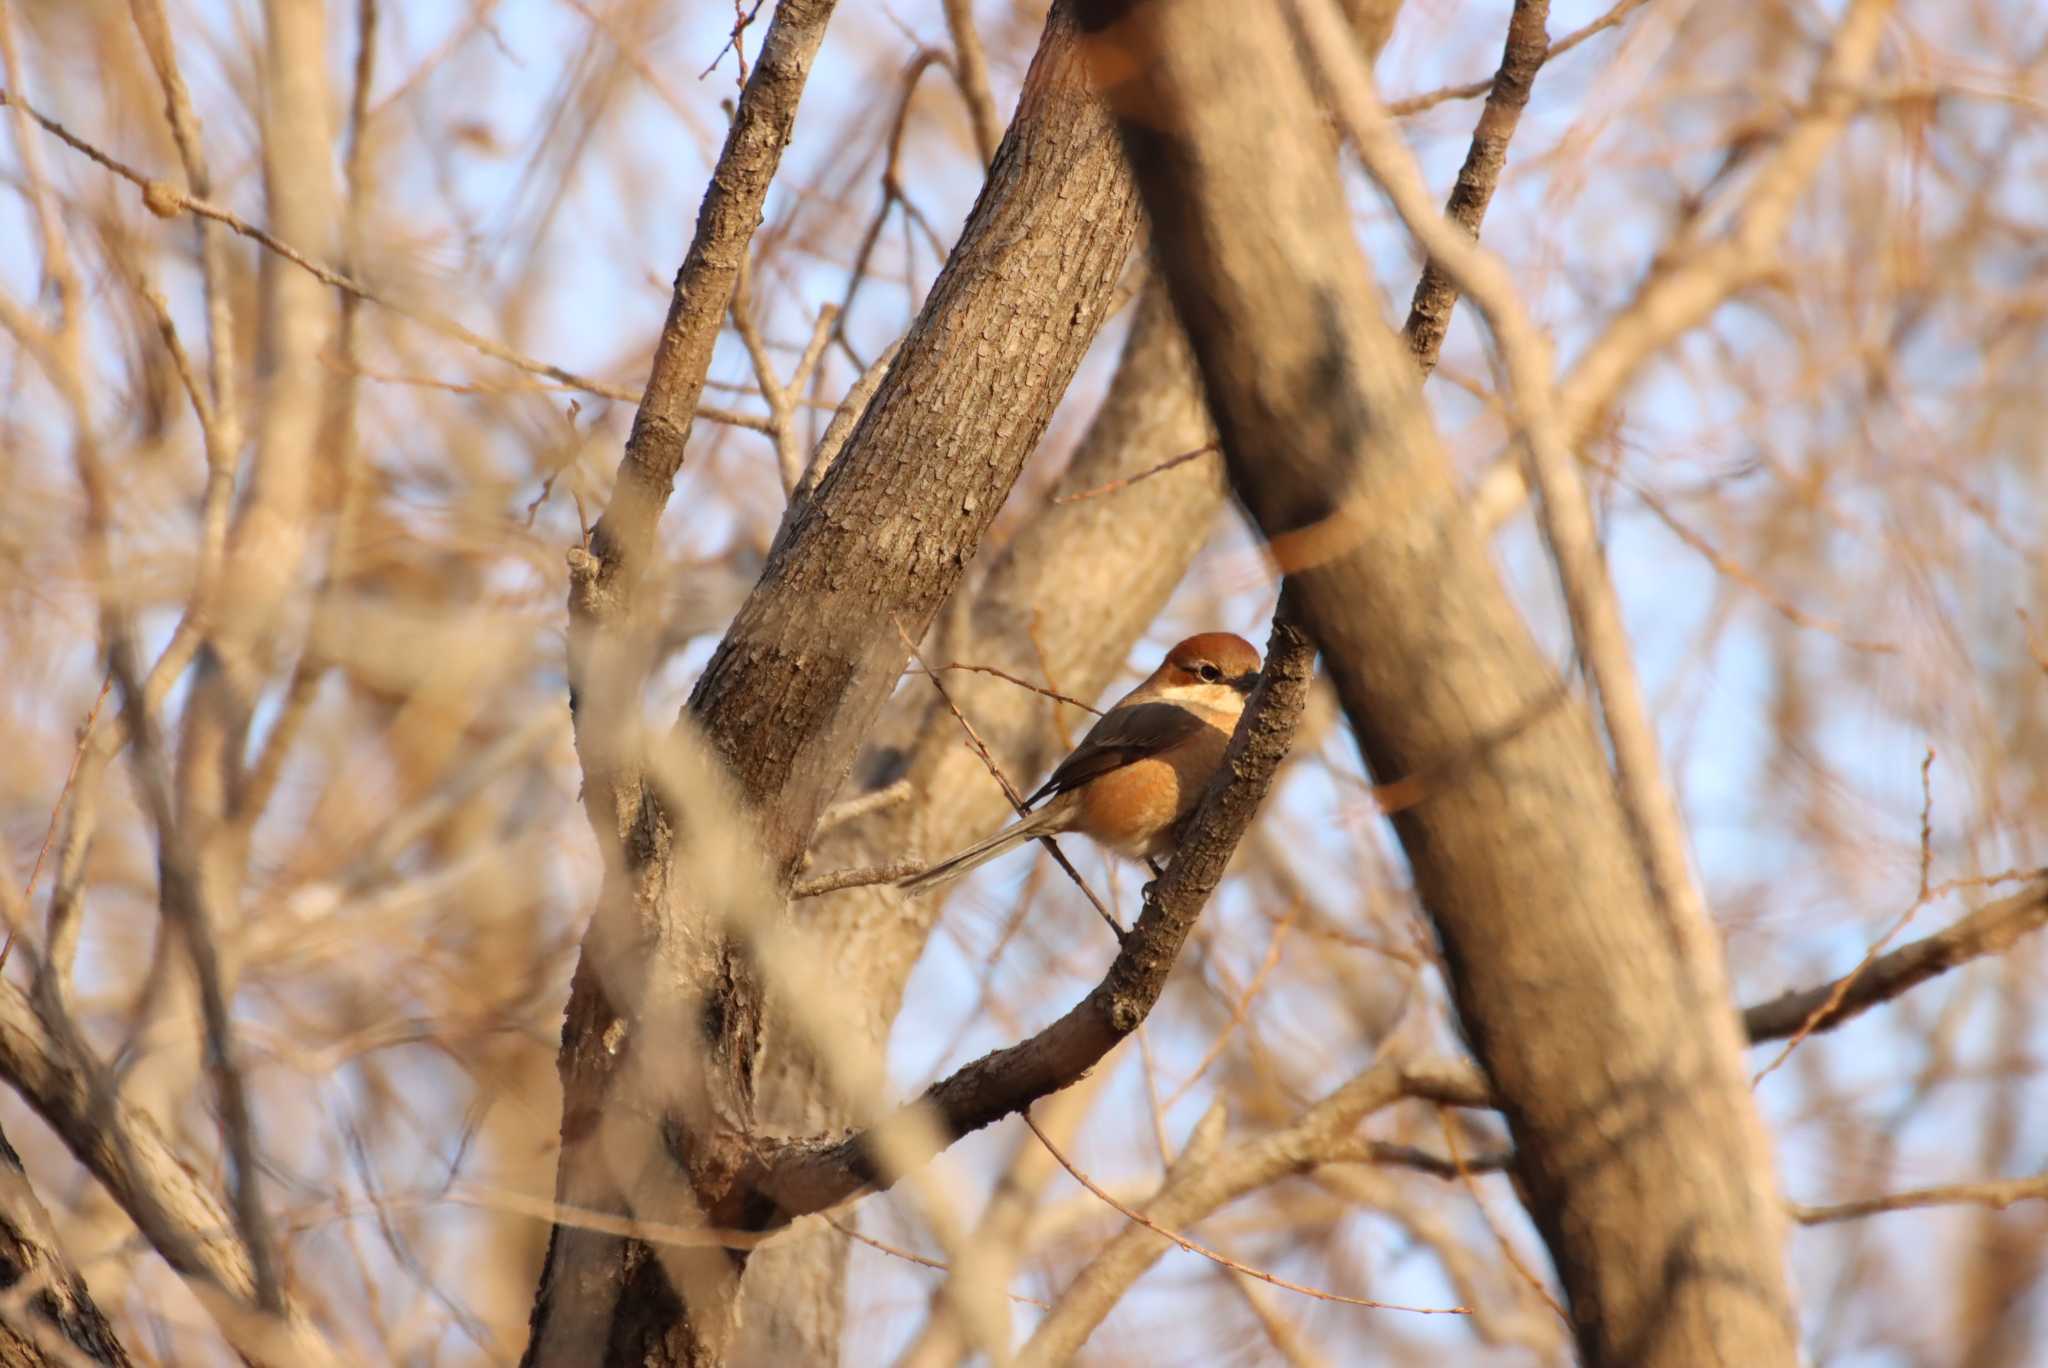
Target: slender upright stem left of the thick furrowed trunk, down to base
(597, 1289)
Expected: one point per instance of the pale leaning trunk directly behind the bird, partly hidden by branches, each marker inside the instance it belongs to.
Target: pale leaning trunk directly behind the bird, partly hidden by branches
(1080, 581)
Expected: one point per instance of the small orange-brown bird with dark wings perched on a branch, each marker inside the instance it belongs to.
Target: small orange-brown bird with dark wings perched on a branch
(1142, 769)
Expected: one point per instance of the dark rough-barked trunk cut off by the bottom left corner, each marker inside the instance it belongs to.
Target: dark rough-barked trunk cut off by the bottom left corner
(52, 1318)
